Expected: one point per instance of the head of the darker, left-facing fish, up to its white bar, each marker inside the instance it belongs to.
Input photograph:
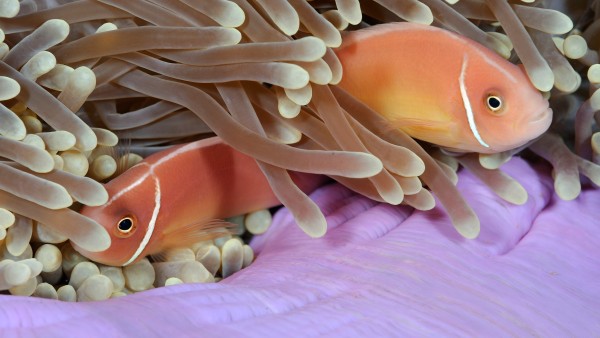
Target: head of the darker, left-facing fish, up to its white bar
(129, 217)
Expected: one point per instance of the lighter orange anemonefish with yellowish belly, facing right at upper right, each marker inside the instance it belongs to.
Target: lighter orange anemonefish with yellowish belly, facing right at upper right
(442, 88)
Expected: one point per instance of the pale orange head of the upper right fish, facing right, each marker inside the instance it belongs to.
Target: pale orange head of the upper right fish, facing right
(508, 110)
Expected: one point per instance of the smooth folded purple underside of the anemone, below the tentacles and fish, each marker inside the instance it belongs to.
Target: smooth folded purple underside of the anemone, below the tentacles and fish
(380, 270)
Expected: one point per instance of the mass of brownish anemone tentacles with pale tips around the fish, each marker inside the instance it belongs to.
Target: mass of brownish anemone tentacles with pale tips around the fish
(75, 76)
